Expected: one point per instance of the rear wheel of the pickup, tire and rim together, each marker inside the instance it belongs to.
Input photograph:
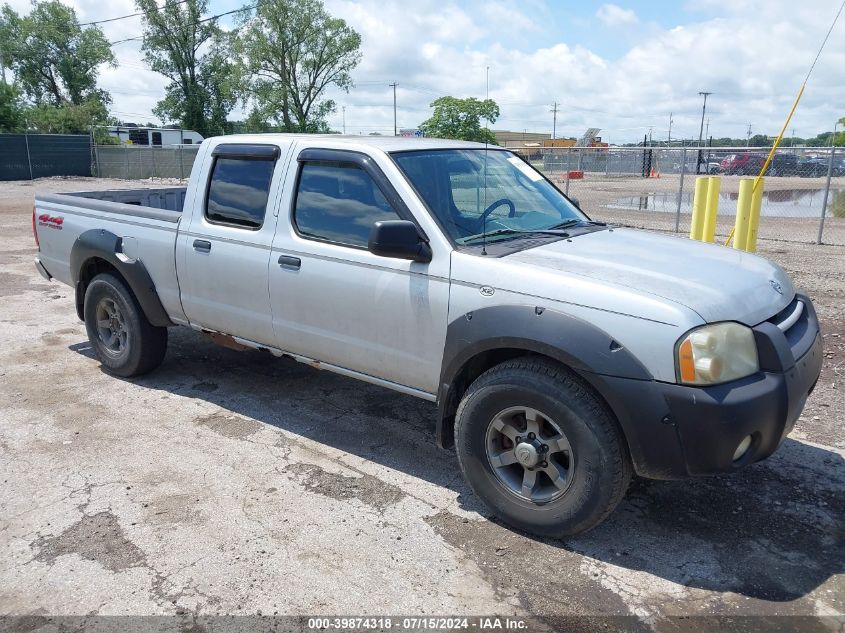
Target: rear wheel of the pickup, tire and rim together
(125, 342)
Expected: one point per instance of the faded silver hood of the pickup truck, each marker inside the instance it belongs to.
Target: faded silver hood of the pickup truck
(718, 283)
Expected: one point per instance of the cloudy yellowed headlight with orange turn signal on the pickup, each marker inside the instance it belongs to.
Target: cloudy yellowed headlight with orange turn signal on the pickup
(717, 353)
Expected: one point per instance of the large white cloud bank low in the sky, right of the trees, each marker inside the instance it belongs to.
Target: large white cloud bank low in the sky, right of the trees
(753, 81)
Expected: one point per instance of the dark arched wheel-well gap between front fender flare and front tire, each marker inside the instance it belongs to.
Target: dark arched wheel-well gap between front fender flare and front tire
(483, 361)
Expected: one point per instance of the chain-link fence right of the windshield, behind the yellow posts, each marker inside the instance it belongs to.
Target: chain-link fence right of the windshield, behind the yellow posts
(803, 195)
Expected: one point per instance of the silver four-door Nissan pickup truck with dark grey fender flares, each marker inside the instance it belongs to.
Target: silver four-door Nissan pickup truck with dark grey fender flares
(564, 354)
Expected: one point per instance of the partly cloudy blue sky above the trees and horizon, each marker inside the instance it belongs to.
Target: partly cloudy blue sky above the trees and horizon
(622, 67)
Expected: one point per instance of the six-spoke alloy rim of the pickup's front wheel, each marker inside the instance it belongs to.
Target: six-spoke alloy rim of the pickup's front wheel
(529, 454)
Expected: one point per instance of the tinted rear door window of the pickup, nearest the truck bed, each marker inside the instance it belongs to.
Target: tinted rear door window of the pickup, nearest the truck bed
(238, 192)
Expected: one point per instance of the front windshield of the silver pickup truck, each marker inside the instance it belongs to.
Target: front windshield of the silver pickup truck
(477, 191)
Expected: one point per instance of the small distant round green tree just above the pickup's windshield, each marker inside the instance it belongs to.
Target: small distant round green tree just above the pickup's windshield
(461, 119)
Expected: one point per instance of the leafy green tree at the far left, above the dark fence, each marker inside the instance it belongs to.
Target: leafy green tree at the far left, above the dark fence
(55, 61)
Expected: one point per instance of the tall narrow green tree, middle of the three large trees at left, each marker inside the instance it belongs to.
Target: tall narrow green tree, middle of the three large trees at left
(194, 55)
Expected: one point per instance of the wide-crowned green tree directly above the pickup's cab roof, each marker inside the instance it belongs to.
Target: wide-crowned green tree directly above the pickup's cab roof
(293, 50)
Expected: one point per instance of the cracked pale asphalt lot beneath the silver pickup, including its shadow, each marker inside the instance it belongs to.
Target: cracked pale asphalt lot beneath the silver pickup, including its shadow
(235, 483)
